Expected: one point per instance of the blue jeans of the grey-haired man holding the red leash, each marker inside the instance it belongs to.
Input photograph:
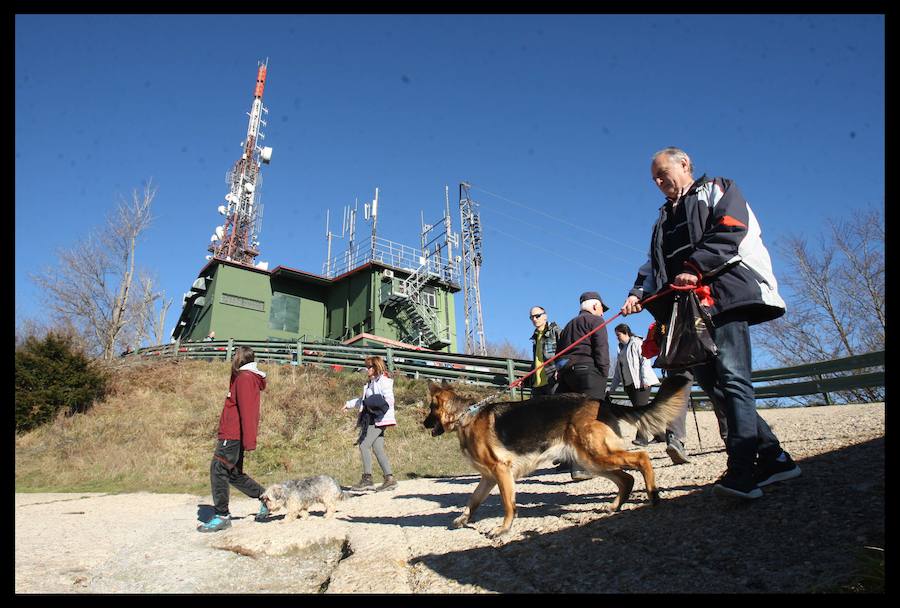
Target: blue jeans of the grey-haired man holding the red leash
(726, 380)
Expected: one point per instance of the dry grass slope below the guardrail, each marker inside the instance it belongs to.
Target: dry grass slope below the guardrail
(156, 431)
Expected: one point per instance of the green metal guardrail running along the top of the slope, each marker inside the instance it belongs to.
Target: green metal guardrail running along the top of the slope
(799, 380)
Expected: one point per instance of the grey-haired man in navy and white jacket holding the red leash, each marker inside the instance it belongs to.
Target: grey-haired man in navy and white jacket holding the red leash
(706, 234)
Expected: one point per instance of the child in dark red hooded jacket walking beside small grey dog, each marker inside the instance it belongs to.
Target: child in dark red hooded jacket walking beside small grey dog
(238, 426)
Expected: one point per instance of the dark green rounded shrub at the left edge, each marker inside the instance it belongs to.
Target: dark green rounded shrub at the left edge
(53, 376)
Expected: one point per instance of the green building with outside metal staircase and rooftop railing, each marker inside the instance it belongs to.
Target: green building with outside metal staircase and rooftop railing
(385, 298)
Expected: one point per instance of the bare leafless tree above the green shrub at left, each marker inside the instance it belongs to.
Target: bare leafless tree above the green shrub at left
(91, 286)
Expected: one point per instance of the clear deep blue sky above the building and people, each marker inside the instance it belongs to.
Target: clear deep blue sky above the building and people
(551, 118)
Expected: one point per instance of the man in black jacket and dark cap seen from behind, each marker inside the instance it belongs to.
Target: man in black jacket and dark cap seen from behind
(585, 368)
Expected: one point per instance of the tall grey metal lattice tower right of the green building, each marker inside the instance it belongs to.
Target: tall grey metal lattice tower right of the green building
(470, 227)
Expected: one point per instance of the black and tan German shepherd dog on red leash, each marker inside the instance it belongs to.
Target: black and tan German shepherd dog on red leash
(505, 441)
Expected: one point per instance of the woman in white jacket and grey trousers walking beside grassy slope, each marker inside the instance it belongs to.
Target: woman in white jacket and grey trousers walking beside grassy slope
(376, 413)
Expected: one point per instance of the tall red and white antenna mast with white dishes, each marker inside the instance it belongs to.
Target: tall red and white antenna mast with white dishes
(237, 239)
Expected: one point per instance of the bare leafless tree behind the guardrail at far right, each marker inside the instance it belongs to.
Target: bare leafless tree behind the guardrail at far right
(835, 297)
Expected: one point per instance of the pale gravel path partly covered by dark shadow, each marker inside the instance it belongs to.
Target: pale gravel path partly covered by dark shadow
(803, 535)
